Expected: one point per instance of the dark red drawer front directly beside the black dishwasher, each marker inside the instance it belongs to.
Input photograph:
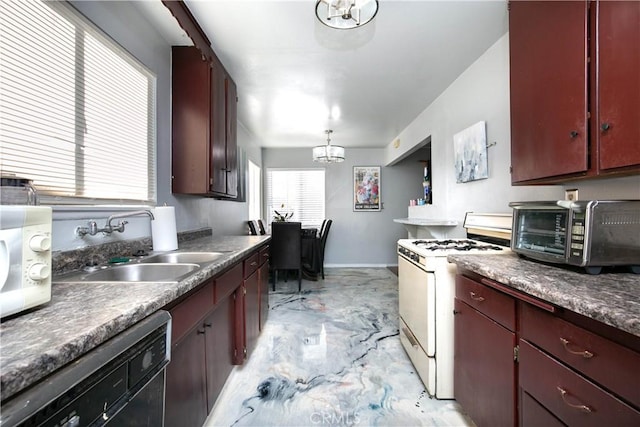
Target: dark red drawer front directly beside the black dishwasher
(190, 311)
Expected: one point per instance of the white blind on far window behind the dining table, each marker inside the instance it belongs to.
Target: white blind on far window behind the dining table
(301, 192)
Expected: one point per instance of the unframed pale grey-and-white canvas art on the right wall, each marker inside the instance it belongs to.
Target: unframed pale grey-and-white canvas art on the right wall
(470, 152)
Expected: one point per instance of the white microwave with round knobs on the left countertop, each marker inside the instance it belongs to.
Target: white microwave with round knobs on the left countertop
(25, 257)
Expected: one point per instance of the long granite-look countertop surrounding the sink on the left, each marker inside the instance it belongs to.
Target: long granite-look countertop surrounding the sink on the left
(81, 316)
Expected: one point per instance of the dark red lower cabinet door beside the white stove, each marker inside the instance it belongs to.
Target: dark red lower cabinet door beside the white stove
(485, 373)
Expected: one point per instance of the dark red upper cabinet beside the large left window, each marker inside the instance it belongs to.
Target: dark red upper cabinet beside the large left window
(204, 123)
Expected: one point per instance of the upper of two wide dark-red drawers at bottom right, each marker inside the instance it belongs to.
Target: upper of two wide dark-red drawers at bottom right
(607, 363)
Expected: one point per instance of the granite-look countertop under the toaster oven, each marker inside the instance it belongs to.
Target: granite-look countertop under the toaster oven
(611, 298)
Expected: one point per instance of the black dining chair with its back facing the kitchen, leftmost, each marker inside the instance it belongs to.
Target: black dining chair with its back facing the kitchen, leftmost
(286, 249)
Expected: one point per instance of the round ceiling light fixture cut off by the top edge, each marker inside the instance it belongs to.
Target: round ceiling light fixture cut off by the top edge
(346, 14)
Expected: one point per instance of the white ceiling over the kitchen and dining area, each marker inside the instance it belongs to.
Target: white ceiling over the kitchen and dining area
(292, 71)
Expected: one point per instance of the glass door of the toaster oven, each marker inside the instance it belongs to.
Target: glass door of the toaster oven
(541, 233)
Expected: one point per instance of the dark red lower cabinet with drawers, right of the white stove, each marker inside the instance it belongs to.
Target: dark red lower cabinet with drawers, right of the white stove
(521, 362)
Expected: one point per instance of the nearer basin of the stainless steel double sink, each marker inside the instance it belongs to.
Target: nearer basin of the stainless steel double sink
(136, 273)
